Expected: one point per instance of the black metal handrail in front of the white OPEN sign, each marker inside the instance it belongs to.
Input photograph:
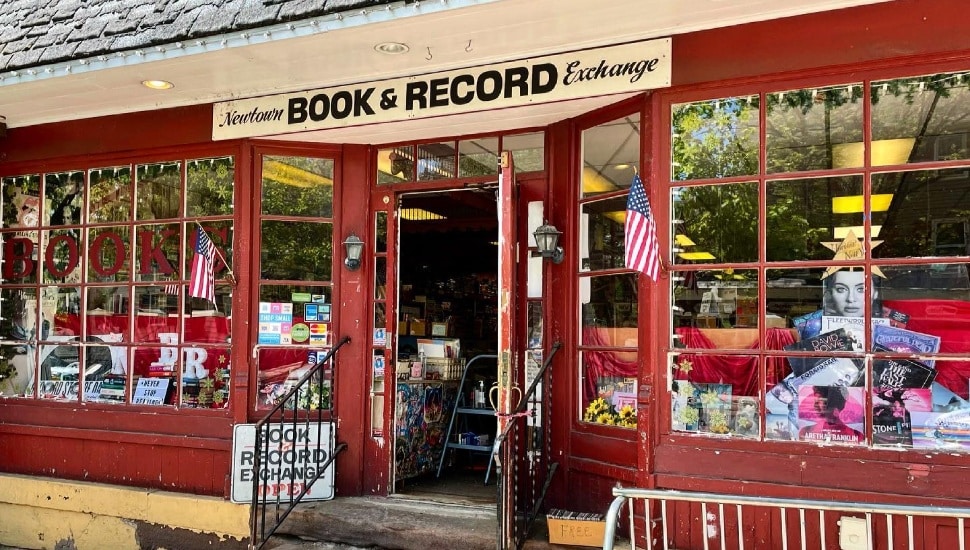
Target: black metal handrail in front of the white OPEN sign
(288, 412)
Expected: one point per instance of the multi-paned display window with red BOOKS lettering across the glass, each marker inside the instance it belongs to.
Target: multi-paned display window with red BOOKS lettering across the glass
(120, 295)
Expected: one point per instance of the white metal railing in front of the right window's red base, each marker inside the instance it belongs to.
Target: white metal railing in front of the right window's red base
(662, 517)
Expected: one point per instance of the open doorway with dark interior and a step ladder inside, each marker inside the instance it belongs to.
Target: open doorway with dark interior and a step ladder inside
(444, 423)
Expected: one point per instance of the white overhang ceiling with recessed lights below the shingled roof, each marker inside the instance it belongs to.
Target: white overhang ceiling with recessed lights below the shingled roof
(335, 51)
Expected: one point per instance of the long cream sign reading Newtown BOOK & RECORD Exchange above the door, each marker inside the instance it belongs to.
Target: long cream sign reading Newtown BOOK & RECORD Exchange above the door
(596, 72)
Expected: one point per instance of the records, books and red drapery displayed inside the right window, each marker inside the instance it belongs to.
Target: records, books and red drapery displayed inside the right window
(826, 378)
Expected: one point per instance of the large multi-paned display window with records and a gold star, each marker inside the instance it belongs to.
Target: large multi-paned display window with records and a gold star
(820, 291)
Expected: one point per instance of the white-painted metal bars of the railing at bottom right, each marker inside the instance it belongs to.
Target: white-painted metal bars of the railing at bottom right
(663, 496)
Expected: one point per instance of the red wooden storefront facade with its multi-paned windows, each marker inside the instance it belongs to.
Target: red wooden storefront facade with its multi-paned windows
(737, 156)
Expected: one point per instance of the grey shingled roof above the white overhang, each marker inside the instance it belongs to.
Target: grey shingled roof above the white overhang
(34, 33)
